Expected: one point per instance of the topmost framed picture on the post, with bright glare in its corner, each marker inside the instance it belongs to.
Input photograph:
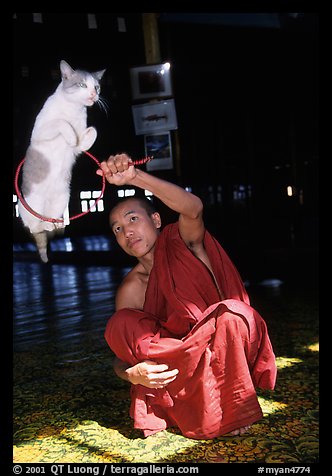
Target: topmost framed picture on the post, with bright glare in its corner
(151, 81)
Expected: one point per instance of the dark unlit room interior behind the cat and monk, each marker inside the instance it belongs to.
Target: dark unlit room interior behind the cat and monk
(246, 94)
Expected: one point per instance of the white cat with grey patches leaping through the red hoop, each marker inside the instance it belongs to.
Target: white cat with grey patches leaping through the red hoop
(59, 135)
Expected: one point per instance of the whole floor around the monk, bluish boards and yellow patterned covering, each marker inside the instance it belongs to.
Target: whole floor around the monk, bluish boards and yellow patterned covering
(69, 406)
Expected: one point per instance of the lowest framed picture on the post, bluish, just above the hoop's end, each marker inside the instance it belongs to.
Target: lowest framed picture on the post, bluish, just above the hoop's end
(159, 146)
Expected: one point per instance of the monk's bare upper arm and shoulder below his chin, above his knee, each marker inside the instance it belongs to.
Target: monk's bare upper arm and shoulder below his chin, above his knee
(131, 292)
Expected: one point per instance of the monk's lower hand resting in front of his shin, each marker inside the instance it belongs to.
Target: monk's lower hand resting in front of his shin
(151, 375)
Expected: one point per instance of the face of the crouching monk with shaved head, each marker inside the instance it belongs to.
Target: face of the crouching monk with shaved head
(135, 230)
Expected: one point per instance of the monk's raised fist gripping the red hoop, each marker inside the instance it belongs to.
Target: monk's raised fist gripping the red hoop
(117, 169)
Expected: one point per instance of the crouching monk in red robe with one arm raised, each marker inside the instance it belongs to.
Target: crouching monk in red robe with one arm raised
(183, 332)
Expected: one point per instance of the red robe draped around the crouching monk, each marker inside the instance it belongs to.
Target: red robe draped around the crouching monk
(220, 344)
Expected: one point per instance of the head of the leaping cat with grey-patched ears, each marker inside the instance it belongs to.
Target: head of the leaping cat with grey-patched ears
(80, 86)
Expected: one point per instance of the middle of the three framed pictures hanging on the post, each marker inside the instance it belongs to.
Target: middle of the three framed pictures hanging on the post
(154, 117)
